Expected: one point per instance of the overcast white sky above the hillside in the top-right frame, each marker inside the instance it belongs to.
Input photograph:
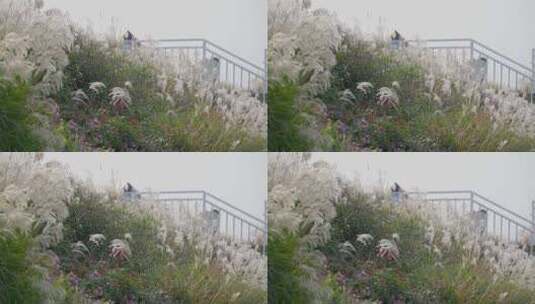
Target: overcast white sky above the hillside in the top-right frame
(506, 25)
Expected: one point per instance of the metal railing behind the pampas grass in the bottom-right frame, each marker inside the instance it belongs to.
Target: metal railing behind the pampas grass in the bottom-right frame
(500, 221)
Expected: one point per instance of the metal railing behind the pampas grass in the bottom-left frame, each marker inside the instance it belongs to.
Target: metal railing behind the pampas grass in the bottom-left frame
(233, 222)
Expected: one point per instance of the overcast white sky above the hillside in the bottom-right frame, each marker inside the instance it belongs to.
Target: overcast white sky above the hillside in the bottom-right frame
(507, 178)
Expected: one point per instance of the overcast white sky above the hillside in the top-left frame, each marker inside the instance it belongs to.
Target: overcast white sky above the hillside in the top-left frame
(237, 25)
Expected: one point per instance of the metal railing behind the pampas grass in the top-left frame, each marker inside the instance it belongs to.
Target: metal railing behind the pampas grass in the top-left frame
(228, 67)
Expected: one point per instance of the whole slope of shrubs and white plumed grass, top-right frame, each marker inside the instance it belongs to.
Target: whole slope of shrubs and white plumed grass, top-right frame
(364, 95)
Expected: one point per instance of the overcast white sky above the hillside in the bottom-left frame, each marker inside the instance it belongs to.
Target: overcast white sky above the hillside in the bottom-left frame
(238, 178)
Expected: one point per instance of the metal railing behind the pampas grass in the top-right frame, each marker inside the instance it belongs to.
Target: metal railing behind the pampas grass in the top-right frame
(501, 70)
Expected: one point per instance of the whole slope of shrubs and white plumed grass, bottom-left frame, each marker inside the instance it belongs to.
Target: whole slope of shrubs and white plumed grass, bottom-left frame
(72, 244)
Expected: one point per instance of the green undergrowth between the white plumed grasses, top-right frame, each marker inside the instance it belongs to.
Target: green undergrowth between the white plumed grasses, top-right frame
(414, 123)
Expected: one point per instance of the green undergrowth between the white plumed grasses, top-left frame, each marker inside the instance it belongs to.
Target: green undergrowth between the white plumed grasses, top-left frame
(149, 122)
